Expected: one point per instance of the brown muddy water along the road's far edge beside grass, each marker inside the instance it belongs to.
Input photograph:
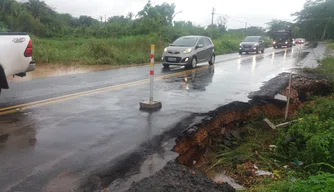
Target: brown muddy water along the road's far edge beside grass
(54, 70)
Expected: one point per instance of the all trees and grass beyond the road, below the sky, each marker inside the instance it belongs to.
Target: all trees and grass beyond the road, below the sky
(62, 38)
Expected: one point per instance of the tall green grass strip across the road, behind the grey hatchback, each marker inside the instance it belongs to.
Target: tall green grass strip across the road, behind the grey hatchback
(112, 51)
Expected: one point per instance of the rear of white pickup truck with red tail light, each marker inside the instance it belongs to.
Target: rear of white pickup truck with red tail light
(15, 56)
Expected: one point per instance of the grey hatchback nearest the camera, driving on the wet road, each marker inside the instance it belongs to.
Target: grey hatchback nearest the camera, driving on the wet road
(188, 51)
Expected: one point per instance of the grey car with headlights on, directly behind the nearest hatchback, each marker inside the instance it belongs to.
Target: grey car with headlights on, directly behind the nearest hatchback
(252, 44)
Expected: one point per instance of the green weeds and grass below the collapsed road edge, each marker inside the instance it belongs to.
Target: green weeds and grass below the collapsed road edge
(300, 156)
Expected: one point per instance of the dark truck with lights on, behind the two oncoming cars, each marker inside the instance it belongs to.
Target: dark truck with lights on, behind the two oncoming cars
(282, 38)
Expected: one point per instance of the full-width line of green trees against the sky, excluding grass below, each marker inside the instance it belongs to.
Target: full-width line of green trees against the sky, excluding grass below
(314, 21)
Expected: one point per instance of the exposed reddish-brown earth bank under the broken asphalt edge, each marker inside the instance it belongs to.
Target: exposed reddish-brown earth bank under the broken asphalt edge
(192, 144)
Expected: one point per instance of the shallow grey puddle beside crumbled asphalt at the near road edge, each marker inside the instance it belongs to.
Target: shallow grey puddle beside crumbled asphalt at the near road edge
(149, 167)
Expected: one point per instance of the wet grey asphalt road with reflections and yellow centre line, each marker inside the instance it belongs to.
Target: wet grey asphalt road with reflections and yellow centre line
(55, 132)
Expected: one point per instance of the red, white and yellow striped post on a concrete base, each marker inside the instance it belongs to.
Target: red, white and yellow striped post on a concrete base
(151, 104)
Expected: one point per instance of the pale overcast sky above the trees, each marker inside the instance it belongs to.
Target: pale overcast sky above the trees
(254, 12)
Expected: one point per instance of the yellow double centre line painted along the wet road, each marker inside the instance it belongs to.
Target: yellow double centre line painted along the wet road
(25, 106)
